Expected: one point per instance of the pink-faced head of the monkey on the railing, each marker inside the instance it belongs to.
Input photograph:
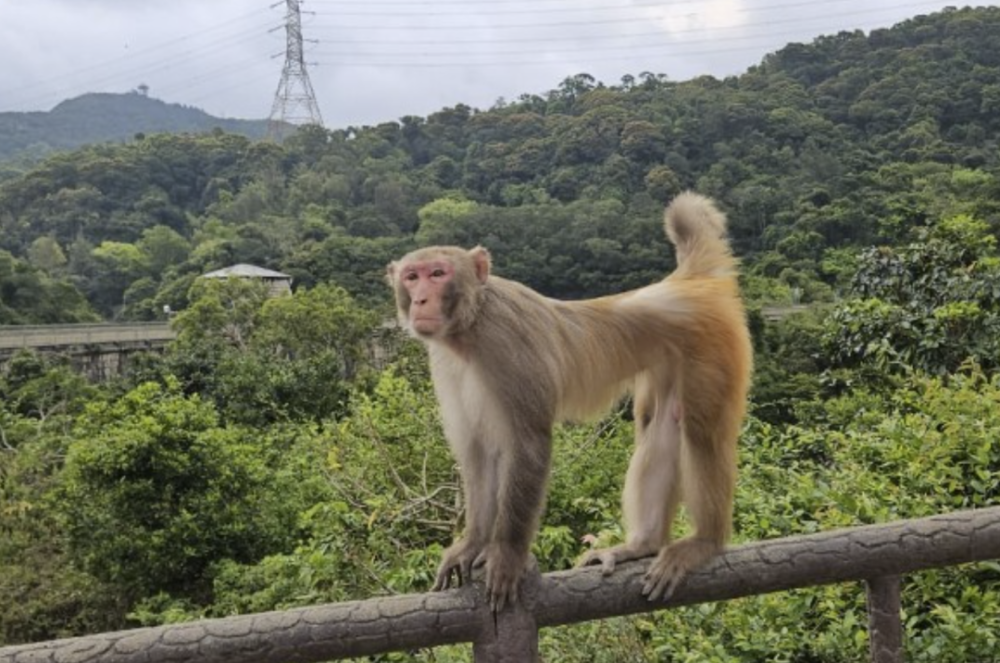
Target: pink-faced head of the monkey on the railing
(438, 289)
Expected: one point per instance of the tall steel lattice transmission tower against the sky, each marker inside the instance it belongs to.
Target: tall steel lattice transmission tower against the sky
(294, 101)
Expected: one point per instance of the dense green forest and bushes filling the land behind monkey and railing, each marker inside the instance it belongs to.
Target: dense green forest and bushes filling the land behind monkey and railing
(268, 458)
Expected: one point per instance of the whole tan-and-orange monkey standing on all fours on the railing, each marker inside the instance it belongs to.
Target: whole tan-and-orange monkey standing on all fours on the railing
(507, 363)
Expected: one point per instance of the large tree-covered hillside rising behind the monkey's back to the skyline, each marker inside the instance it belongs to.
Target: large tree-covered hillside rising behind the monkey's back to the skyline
(821, 150)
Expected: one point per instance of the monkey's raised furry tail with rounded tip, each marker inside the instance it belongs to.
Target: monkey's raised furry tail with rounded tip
(698, 230)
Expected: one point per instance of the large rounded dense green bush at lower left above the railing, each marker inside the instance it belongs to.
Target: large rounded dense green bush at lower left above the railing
(155, 492)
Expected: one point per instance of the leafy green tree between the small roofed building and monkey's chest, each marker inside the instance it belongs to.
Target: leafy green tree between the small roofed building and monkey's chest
(264, 360)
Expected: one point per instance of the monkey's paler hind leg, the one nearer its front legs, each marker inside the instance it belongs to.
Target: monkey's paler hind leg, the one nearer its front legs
(652, 486)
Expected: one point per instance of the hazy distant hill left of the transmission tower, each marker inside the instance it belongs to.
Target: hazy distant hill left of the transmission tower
(98, 118)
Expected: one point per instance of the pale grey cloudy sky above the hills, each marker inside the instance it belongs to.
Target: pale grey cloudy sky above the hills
(371, 61)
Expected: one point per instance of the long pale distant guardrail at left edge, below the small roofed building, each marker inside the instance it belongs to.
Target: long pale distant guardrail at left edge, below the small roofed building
(51, 337)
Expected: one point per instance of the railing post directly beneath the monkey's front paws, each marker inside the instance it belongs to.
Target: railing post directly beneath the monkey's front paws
(511, 636)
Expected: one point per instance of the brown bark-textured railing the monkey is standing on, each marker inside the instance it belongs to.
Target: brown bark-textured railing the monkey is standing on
(877, 555)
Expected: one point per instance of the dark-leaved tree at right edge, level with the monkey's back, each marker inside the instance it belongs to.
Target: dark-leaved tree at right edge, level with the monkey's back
(931, 305)
